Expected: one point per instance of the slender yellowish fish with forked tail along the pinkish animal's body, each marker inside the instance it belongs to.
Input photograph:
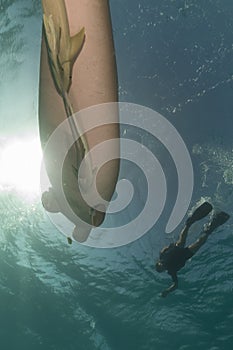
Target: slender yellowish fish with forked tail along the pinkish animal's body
(62, 51)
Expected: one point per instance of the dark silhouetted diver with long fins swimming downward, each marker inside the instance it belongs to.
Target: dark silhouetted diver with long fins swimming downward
(174, 257)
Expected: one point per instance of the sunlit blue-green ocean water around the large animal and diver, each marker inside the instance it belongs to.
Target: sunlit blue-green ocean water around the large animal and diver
(175, 57)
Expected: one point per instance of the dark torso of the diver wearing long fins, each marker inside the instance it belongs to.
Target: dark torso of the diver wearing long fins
(174, 258)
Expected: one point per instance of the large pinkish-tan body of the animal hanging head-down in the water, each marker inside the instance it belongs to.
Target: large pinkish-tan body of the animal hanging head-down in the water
(89, 78)
